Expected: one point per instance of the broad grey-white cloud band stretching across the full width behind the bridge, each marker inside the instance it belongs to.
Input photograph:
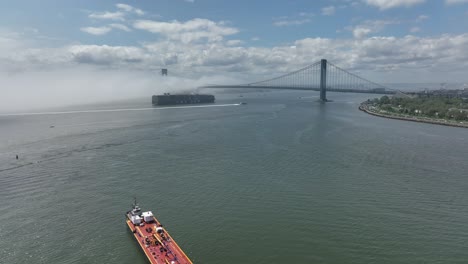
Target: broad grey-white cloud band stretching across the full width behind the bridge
(381, 59)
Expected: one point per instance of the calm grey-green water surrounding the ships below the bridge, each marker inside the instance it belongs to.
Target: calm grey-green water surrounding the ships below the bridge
(281, 180)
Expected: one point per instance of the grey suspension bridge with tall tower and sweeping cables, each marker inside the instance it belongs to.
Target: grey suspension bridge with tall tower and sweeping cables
(321, 76)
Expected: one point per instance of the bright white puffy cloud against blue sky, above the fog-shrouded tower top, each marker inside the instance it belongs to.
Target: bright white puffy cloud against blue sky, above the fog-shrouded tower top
(189, 31)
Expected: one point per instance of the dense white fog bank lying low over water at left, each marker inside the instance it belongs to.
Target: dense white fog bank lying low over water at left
(34, 90)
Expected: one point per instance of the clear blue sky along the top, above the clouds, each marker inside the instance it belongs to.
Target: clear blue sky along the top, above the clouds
(254, 19)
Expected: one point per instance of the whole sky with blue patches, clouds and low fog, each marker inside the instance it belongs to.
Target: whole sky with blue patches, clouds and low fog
(75, 51)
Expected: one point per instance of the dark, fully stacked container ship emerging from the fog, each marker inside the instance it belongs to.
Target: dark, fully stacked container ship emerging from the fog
(175, 99)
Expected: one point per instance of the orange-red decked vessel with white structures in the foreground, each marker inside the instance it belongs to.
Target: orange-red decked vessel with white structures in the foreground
(158, 245)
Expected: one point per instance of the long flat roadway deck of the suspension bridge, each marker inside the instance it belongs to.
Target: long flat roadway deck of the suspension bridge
(304, 88)
